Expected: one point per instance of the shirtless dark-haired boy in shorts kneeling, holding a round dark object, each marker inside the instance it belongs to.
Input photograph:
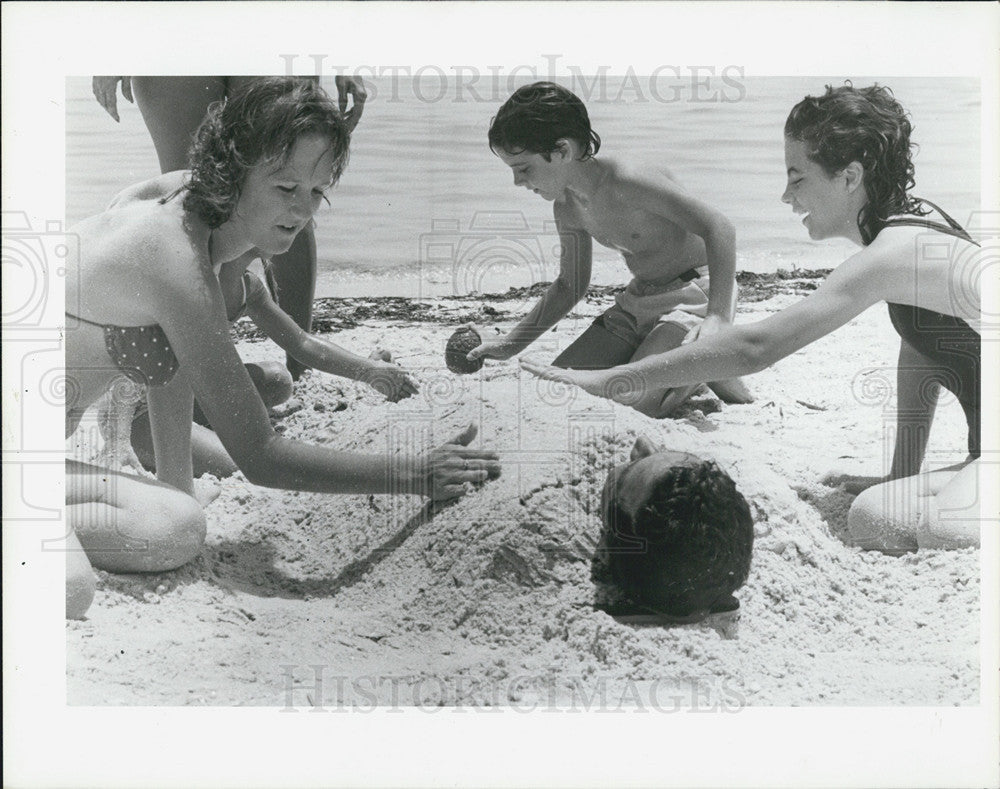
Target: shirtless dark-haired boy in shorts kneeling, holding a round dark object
(673, 245)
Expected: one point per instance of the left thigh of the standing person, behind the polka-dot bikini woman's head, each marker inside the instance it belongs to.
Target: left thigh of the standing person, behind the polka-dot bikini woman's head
(173, 108)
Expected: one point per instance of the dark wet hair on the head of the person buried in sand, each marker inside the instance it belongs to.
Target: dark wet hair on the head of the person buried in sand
(687, 547)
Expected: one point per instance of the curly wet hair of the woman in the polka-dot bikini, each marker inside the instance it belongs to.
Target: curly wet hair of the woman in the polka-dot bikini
(261, 122)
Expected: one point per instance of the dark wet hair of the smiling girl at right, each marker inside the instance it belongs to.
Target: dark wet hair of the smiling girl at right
(865, 125)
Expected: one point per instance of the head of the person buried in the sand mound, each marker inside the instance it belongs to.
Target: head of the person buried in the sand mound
(676, 540)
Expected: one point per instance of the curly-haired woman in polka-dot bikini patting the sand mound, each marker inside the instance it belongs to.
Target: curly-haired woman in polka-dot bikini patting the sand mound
(260, 168)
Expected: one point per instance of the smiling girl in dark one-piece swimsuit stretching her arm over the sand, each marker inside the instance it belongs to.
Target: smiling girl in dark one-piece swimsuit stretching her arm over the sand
(849, 167)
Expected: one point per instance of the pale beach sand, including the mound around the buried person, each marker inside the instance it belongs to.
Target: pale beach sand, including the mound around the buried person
(489, 600)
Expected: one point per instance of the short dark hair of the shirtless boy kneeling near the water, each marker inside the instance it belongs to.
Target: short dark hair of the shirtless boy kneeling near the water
(537, 116)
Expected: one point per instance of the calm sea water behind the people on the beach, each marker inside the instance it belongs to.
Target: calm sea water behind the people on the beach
(425, 208)
